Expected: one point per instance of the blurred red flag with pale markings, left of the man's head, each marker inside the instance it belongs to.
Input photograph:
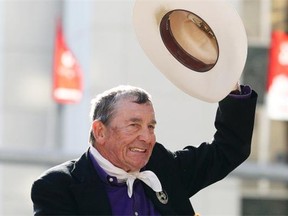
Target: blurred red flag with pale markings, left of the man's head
(67, 75)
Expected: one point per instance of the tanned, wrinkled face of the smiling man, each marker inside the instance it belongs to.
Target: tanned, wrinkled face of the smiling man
(129, 138)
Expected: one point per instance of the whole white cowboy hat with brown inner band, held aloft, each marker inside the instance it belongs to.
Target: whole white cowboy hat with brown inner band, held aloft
(199, 45)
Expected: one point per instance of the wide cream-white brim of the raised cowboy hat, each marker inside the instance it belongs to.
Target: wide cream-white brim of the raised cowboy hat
(214, 84)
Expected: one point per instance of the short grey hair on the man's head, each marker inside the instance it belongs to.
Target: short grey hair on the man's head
(103, 106)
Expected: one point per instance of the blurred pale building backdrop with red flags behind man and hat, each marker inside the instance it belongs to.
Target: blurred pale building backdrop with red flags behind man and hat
(56, 55)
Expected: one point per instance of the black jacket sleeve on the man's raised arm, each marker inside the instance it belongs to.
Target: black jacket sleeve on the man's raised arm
(211, 162)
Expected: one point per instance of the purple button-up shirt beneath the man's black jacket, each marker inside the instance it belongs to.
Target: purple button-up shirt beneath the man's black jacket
(121, 204)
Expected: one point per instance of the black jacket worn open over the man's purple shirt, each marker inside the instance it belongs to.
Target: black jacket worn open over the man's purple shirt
(74, 188)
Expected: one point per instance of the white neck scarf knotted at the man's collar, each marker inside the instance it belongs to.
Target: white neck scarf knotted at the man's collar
(148, 177)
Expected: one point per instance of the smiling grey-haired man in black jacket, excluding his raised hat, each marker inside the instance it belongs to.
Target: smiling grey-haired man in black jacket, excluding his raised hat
(126, 172)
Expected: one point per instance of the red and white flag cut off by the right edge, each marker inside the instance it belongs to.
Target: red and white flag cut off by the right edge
(277, 84)
